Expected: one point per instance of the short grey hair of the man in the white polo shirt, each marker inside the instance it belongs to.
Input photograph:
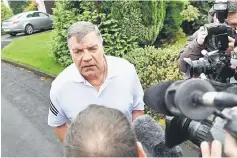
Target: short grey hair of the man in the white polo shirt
(81, 28)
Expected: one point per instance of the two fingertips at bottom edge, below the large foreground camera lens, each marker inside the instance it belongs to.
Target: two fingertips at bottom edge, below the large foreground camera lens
(215, 150)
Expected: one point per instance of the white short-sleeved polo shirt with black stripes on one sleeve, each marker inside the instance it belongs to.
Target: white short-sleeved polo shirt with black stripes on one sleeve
(71, 93)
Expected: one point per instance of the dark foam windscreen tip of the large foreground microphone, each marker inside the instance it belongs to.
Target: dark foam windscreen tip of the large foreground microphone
(154, 97)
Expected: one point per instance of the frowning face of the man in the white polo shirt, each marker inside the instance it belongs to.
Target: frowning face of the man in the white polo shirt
(87, 54)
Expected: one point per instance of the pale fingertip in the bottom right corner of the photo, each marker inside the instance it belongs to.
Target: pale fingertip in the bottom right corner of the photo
(230, 147)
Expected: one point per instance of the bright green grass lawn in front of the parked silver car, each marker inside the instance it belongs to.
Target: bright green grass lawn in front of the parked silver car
(33, 51)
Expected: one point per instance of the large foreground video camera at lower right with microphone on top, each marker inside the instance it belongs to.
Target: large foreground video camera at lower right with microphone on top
(189, 106)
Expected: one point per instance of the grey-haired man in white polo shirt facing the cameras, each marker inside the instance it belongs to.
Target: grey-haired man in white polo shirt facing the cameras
(93, 78)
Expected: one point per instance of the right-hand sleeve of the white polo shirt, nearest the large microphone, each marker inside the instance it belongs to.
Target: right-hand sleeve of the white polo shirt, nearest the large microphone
(138, 93)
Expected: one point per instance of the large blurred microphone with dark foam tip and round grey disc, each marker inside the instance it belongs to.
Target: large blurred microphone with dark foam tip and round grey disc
(188, 98)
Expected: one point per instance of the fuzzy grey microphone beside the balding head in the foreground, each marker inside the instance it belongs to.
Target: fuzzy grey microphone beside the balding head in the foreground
(152, 138)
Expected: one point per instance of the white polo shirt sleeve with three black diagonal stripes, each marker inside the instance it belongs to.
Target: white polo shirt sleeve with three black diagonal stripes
(56, 115)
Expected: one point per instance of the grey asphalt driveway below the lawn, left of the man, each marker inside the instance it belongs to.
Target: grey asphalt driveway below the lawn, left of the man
(24, 113)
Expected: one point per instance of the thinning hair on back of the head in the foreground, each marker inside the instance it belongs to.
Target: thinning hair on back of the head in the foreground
(99, 131)
